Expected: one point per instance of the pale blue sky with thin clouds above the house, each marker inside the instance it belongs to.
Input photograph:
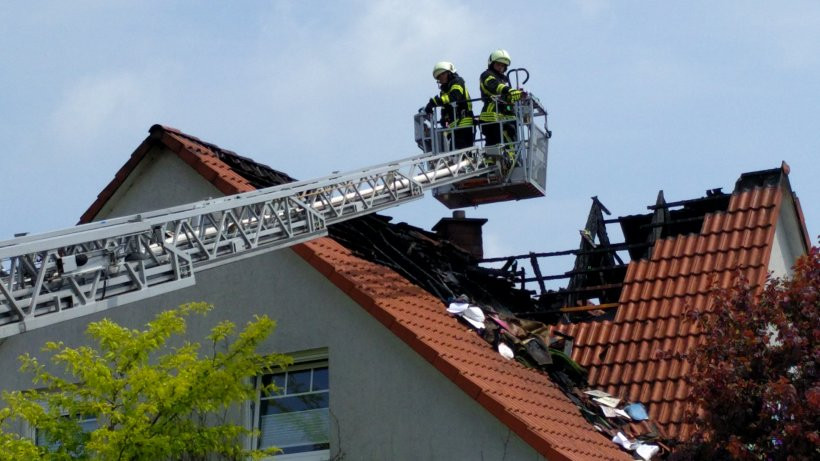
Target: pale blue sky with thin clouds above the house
(679, 96)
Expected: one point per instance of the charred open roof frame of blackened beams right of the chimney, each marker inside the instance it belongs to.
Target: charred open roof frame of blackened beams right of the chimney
(596, 279)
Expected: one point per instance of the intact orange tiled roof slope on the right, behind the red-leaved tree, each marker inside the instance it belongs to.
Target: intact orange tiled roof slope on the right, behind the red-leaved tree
(637, 356)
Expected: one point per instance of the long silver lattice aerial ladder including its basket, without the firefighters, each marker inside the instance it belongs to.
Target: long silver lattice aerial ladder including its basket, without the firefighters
(65, 274)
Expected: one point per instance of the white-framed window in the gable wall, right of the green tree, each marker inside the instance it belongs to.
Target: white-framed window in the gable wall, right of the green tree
(296, 418)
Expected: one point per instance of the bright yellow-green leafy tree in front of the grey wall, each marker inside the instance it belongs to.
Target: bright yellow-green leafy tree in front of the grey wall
(154, 396)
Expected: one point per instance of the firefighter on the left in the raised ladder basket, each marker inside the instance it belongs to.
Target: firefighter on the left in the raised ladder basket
(454, 99)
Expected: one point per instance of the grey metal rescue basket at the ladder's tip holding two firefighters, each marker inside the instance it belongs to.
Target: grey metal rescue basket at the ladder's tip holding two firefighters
(519, 163)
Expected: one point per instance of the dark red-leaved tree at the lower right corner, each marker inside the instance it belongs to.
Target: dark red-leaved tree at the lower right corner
(755, 390)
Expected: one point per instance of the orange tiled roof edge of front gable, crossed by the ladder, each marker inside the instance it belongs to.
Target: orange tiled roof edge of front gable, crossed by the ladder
(523, 399)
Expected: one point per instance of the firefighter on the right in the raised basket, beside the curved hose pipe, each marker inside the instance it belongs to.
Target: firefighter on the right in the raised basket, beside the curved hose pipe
(497, 95)
